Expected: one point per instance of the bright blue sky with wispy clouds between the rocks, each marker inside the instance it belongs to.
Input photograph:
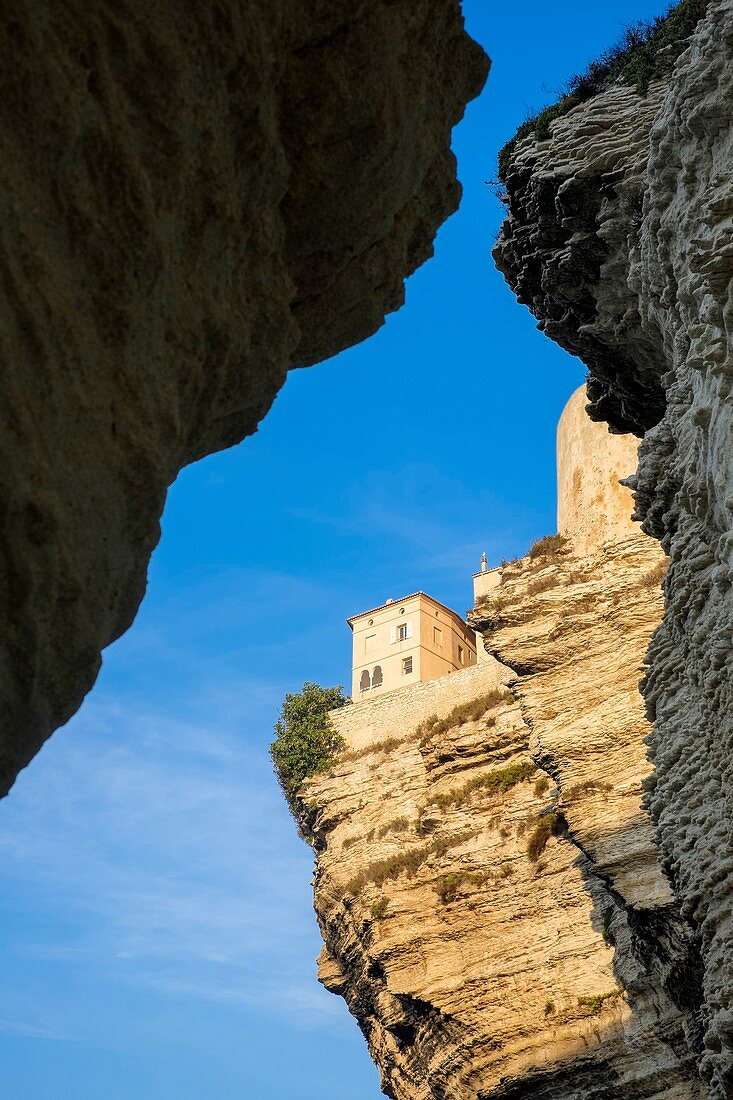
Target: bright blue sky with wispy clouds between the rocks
(158, 939)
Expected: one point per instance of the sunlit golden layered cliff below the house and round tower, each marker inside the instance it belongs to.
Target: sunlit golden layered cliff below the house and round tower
(473, 970)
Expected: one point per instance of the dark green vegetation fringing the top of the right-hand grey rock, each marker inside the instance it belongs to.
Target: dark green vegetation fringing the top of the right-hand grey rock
(647, 51)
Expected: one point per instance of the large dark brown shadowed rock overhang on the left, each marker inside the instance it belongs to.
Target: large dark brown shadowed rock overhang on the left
(194, 200)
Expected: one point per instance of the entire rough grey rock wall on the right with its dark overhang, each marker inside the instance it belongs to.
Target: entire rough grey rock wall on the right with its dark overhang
(629, 210)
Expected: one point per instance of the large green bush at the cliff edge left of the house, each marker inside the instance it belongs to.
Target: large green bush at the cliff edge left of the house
(305, 743)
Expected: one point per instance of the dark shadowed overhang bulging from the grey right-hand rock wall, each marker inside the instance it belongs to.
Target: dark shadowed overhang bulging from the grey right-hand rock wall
(575, 206)
